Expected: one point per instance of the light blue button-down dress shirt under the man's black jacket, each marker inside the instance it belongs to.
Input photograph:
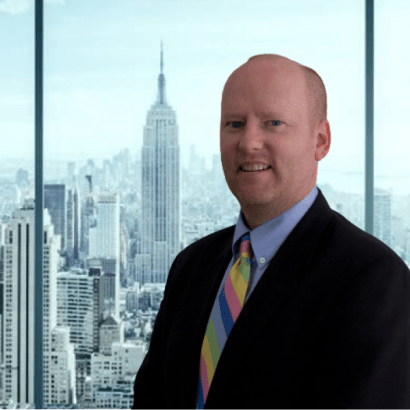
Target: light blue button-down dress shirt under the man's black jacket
(267, 238)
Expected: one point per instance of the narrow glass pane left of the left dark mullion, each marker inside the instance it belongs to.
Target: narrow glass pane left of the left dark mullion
(16, 203)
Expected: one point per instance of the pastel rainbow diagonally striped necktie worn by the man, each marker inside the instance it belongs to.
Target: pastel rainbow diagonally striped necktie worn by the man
(223, 316)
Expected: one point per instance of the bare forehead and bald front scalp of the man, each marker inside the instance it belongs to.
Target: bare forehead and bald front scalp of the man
(267, 84)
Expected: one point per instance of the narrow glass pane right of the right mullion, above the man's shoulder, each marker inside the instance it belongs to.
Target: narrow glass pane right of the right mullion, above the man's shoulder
(392, 126)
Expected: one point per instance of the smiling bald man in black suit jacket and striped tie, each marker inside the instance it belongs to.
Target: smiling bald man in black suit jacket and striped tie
(293, 307)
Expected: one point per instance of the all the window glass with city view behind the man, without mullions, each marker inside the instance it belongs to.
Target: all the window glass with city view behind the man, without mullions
(102, 82)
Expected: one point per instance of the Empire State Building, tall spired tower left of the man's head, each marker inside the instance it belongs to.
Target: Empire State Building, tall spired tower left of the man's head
(160, 188)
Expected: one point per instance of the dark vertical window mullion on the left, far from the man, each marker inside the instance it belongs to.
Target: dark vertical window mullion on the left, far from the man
(38, 219)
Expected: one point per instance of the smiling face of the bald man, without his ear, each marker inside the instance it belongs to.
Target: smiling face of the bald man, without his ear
(265, 123)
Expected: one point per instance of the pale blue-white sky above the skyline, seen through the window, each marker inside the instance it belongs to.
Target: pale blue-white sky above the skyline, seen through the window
(101, 66)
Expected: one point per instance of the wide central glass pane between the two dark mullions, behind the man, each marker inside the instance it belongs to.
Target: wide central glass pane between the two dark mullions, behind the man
(132, 164)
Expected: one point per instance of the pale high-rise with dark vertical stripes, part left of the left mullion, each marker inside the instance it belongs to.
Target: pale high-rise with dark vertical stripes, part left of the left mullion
(19, 308)
